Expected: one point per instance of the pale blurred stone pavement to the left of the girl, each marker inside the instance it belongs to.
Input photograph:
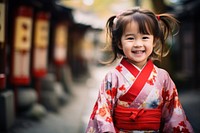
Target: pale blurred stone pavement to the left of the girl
(72, 117)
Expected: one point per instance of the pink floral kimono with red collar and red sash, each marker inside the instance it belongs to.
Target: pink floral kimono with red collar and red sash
(132, 100)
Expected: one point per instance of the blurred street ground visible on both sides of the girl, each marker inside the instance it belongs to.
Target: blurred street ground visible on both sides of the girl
(73, 117)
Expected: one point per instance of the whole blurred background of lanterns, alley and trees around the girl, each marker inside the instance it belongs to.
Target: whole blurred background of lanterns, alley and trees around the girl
(49, 60)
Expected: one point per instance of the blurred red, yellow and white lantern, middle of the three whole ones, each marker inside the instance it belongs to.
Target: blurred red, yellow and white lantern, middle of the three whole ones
(41, 41)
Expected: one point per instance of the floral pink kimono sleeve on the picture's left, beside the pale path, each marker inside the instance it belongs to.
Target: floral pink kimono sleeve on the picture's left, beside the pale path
(101, 117)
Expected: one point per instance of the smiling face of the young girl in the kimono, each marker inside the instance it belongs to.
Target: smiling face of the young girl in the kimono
(137, 47)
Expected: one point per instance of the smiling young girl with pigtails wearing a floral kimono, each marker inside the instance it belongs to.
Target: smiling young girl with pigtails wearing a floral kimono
(137, 96)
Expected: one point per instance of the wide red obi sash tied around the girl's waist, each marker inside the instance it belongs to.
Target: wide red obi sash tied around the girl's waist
(137, 119)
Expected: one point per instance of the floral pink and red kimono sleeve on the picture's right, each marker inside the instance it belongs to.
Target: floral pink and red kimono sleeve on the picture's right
(174, 119)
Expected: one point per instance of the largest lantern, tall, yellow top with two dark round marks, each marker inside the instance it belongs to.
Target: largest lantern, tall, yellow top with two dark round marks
(20, 68)
